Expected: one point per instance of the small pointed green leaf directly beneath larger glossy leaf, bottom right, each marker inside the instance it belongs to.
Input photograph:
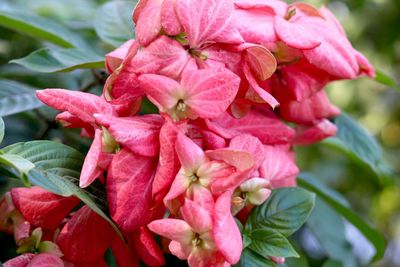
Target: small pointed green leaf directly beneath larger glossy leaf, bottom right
(267, 243)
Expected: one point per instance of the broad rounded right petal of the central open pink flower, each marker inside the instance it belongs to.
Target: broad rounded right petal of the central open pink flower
(210, 91)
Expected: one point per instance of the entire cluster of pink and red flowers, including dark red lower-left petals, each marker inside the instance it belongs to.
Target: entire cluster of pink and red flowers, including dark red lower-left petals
(226, 76)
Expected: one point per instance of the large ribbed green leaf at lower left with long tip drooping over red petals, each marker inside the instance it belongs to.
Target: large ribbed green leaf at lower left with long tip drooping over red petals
(56, 165)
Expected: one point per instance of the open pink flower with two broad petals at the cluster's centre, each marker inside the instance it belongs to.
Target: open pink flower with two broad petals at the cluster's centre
(201, 93)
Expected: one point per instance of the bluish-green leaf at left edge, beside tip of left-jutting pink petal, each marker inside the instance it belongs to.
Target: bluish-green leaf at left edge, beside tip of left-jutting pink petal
(16, 97)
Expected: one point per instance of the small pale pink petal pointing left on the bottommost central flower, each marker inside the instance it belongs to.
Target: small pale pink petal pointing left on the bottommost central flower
(173, 229)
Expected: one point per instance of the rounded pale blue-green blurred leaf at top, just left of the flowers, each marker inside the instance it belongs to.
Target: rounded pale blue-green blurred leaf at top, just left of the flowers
(113, 22)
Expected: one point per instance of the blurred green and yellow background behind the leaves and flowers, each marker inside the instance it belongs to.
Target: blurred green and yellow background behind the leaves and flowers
(373, 26)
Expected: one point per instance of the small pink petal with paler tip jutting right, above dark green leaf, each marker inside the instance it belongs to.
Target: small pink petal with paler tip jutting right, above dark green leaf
(312, 134)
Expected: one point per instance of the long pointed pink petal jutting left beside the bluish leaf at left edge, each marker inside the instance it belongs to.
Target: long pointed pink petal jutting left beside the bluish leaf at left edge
(82, 105)
